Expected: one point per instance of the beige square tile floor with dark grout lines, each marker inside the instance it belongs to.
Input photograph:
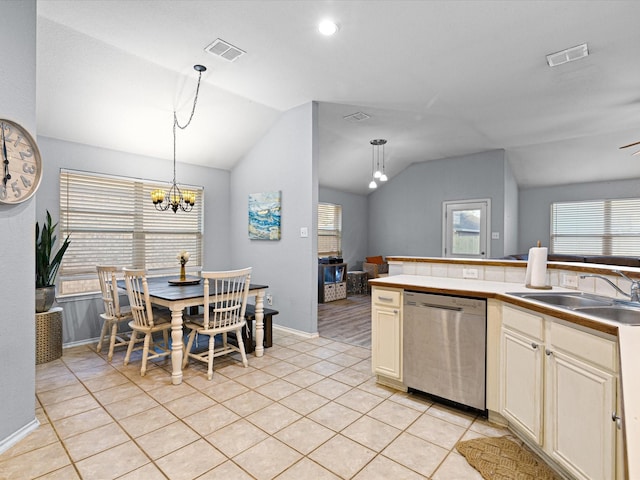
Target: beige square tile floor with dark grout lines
(309, 408)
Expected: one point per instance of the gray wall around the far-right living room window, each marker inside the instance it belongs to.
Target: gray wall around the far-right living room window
(535, 205)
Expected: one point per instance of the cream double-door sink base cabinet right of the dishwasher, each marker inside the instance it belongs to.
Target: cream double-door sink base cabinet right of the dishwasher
(558, 388)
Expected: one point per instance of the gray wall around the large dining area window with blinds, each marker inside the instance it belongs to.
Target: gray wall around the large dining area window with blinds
(80, 315)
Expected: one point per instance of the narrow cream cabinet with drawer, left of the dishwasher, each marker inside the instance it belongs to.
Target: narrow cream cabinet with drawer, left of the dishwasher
(386, 334)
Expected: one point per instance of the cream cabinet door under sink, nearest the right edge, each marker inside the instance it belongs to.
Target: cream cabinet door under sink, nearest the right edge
(580, 402)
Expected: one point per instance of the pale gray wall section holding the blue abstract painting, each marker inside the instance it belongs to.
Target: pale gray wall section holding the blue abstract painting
(284, 159)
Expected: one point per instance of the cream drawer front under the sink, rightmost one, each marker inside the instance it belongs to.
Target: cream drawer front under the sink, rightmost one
(589, 347)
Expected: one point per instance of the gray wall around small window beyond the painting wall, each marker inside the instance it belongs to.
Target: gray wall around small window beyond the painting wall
(354, 224)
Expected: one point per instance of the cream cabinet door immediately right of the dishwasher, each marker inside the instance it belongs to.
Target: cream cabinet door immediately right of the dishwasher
(521, 383)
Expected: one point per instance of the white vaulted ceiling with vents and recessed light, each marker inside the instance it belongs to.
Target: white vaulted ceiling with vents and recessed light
(438, 79)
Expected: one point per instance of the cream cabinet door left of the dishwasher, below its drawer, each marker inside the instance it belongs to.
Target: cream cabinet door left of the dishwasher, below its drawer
(386, 339)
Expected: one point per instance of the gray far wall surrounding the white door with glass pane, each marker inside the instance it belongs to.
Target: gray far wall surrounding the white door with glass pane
(405, 215)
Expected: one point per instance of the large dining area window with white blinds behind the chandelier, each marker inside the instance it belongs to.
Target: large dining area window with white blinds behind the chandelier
(112, 221)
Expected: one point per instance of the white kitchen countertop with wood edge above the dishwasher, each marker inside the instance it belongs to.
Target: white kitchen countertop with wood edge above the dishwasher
(628, 342)
